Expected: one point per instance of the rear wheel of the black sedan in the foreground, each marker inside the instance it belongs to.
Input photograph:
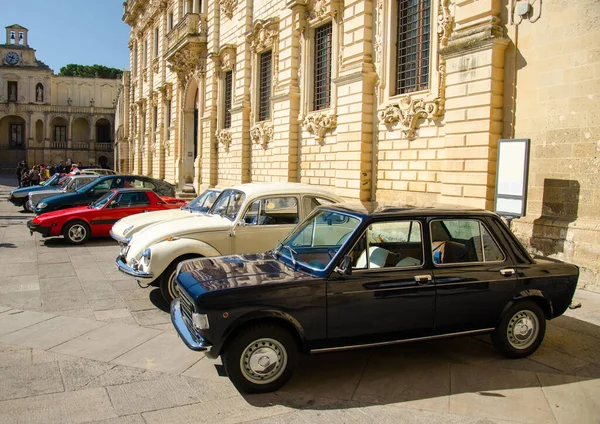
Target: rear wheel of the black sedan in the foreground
(521, 330)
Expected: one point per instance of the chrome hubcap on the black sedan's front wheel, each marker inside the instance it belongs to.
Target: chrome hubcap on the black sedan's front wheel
(263, 361)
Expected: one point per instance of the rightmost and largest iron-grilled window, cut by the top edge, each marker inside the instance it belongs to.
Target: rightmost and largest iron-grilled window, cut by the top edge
(412, 55)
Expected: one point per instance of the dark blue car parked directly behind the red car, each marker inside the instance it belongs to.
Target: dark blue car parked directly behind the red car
(98, 188)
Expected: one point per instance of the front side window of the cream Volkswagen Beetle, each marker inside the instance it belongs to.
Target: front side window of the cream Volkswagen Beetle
(273, 211)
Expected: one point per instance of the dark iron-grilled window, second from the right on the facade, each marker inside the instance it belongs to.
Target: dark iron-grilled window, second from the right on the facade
(322, 82)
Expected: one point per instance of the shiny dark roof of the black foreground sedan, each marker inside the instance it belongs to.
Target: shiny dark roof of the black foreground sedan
(375, 209)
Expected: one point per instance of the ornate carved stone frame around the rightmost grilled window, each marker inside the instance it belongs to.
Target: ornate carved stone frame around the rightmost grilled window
(406, 110)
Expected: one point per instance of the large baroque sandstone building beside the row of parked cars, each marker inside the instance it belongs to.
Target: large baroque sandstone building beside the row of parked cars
(388, 100)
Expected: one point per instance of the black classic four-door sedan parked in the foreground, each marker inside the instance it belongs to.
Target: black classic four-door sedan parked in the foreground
(350, 277)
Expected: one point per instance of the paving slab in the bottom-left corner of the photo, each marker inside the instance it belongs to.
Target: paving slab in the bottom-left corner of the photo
(68, 407)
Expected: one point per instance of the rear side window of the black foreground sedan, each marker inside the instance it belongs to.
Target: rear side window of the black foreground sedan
(464, 240)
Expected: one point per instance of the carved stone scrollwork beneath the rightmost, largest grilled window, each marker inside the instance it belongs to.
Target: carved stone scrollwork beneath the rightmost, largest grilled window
(407, 113)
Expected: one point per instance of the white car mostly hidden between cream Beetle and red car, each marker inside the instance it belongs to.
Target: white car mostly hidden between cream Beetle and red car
(125, 228)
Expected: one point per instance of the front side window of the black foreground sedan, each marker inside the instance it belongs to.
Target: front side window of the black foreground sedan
(393, 244)
